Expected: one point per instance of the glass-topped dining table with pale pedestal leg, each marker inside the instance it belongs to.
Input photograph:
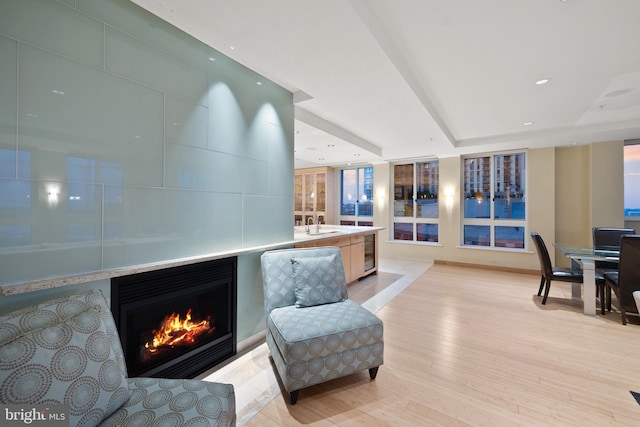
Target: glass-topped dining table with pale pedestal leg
(586, 257)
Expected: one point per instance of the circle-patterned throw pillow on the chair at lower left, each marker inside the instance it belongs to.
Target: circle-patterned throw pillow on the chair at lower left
(47, 357)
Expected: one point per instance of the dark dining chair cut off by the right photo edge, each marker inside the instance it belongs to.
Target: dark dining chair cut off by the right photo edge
(626, 279)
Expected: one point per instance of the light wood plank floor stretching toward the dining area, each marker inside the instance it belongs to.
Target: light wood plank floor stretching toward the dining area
(475, 347)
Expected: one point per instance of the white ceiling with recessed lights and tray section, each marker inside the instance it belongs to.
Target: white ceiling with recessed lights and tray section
(383, 80)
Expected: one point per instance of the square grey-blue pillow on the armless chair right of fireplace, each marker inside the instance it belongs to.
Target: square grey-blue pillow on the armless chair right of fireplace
(317, 281)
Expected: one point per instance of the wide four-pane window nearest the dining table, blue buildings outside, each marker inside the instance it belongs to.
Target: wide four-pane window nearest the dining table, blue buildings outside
(494, 201)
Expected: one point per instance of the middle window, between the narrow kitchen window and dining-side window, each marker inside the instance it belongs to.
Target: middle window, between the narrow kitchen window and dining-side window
(415, 201)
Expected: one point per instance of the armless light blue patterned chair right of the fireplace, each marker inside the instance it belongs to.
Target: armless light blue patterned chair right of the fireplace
(314, 332)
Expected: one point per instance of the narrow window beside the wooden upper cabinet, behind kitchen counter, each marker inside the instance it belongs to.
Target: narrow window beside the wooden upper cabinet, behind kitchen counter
(356, 198)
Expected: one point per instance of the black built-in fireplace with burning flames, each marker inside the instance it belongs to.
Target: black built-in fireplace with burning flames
(142, 302)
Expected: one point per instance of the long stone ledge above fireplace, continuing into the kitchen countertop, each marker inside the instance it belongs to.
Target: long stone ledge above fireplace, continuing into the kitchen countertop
(56, 282)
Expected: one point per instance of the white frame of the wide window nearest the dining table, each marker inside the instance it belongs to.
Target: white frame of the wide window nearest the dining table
(492, 222)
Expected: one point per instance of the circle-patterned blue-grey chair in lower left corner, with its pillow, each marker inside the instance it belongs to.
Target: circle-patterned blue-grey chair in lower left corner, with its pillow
(66, 351)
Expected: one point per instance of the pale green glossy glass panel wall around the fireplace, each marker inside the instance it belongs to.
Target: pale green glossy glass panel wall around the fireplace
(124, 140)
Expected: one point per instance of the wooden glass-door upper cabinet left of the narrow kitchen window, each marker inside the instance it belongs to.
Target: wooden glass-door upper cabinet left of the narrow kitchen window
(313, 195)
